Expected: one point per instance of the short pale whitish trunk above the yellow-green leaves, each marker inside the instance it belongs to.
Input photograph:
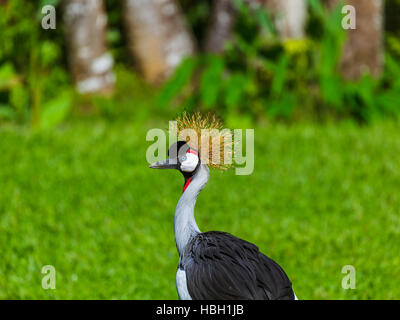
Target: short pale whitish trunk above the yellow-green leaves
(289, 17)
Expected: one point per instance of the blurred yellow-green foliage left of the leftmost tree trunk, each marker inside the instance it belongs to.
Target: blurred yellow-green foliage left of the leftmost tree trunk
(34, 83)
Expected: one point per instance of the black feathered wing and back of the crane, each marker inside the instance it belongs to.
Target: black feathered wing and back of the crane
(220, 266)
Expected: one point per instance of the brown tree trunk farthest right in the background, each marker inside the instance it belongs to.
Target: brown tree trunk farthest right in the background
(363, 51)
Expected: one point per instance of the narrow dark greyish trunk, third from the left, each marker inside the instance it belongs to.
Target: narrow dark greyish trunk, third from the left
(221, 27)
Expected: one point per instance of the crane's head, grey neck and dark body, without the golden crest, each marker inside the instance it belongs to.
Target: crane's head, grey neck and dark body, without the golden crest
(216, 265)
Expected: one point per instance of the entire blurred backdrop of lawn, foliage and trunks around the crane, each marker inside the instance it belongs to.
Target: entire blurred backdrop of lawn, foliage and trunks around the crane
(77, 100)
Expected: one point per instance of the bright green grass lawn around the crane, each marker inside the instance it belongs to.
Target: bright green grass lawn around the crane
(82, 198)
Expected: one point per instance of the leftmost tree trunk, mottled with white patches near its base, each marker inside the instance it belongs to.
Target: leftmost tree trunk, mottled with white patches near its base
(90, 63)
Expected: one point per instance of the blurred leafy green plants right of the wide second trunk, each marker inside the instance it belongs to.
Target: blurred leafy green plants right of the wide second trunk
(259, 75)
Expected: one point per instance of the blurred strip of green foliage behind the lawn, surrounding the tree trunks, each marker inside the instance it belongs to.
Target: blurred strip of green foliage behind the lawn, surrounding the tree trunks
(258, 76)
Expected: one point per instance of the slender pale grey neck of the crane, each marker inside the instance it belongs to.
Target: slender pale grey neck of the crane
(184, 222)
